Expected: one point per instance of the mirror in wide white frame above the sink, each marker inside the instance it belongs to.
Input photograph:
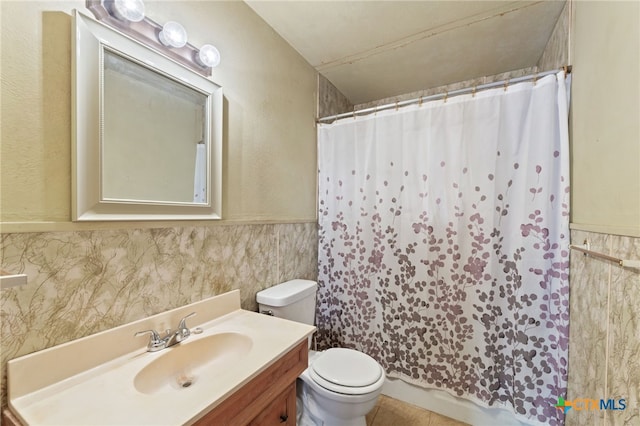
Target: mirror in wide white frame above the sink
(147, 132)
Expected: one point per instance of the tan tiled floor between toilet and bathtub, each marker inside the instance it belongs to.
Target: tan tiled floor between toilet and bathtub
(391, 412)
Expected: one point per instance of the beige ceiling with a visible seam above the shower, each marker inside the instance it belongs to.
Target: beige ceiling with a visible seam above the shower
(372, 50)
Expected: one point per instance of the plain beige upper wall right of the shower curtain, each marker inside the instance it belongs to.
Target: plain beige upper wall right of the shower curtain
(605, 117)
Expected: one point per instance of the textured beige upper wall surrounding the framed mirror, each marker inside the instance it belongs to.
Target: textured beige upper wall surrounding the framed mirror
(270, 107)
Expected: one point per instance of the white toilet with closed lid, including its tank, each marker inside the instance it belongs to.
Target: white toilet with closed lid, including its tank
(340, 386)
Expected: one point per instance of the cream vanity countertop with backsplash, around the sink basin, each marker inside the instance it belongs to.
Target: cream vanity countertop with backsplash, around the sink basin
(105, 394)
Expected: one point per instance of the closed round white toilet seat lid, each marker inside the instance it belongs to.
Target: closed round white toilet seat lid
(346, 371)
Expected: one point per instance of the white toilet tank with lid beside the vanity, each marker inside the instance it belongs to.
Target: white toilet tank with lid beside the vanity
(294, 300)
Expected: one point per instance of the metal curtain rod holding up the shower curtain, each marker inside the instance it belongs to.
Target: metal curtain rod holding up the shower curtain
(366, 111)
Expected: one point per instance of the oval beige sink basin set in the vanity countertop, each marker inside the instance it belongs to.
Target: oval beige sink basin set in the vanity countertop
(183, 365)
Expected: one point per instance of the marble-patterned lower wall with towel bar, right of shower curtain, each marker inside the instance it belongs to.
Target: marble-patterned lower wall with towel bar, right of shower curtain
(604, 345)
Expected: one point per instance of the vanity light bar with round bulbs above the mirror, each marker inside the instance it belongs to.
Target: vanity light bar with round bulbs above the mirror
(170, 39)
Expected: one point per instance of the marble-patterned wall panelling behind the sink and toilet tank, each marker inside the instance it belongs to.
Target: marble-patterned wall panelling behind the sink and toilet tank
(83, 282)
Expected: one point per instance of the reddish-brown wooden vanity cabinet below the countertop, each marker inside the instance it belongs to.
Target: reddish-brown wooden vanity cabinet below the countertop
(268, 399)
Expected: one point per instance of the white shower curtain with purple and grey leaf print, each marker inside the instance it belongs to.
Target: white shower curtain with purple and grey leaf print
(443, 244)
